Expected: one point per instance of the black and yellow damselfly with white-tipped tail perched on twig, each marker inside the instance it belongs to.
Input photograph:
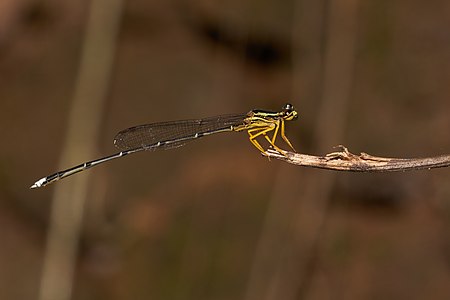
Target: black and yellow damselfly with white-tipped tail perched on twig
(173, 134)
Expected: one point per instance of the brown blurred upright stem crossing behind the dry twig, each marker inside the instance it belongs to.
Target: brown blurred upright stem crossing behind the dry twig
(338, 76)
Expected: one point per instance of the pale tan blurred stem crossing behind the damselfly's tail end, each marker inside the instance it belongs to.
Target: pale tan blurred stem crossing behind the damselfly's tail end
(83, 129)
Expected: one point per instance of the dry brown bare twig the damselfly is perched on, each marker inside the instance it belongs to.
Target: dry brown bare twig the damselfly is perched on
(344, 160)
